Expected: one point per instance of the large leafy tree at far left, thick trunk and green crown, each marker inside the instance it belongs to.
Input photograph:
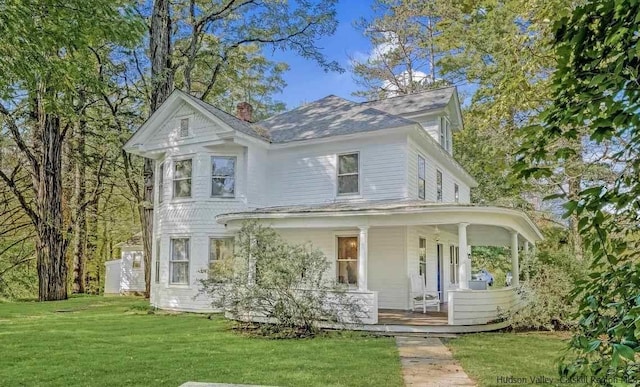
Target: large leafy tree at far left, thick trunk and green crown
(43, 62)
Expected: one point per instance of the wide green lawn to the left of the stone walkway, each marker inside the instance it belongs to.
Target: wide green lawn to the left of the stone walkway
(96, 341)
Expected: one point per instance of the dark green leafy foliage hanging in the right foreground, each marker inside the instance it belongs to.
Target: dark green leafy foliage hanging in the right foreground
(595, 87)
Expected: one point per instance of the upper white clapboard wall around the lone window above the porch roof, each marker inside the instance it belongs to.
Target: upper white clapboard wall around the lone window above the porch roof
(306, 175)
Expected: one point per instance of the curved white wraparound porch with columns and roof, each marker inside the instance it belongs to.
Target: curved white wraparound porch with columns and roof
(375, 248)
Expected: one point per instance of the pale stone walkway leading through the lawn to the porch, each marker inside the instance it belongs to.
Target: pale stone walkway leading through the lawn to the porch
(426, 362)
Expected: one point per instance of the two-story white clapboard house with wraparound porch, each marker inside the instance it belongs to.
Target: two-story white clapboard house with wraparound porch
(374, 185)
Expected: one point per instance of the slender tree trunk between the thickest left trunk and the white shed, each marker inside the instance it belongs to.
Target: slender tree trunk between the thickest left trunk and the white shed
(80, 225)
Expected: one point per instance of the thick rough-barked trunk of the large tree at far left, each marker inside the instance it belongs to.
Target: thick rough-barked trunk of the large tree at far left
(50, 242)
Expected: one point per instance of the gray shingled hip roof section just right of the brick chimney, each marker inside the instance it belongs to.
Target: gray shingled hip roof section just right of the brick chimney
(329, 116)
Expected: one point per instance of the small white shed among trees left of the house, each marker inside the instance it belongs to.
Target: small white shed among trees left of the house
(126, 275)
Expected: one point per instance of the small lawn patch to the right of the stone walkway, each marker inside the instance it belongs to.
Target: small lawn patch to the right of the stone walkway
(487, 356)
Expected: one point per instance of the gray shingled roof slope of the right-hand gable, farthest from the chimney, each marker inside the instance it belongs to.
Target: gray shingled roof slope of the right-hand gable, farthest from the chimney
(414, 103)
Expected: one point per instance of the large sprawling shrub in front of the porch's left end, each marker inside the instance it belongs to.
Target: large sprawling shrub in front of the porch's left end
(281, 285)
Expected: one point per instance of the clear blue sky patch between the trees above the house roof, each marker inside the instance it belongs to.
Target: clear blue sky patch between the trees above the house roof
(306, 81)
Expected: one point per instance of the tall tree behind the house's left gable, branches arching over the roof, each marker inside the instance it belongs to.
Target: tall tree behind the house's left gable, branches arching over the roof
(194, 37)
